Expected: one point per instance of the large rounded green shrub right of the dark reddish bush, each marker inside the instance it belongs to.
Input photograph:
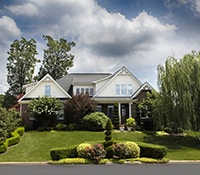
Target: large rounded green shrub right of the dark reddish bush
(95, 121)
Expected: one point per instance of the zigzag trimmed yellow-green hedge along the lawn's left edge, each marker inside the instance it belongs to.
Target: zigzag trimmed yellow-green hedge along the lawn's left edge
(12, 140)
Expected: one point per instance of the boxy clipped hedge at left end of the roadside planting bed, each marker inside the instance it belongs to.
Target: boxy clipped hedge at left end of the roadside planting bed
(61, 153)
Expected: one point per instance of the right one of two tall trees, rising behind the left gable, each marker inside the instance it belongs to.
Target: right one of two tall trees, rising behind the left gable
(57, 60)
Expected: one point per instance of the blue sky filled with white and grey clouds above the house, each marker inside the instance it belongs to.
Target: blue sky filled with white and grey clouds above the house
(109, 34)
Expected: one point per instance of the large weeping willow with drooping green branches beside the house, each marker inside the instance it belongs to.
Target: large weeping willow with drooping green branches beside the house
(179, 86)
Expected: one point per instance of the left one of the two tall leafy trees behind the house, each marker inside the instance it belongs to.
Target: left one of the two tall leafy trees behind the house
(21, 64)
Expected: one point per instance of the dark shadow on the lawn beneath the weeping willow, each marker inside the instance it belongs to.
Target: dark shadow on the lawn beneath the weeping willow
(173, 141)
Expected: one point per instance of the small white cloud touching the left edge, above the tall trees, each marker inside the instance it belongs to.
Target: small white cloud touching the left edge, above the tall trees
(8, 29)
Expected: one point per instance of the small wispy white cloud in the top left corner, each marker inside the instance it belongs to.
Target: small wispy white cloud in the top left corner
(25, 9)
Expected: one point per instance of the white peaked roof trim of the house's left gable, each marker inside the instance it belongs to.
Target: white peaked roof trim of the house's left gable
(47, 77)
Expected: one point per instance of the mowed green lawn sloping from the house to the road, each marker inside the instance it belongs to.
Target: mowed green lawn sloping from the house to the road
(35, 146)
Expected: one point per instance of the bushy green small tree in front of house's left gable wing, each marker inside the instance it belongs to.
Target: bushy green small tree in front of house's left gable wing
(45, 110)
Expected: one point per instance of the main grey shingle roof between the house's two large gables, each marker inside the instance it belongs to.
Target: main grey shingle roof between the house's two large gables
(80, 78)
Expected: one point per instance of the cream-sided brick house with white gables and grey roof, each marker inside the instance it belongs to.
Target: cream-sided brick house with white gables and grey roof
(121, 87)
